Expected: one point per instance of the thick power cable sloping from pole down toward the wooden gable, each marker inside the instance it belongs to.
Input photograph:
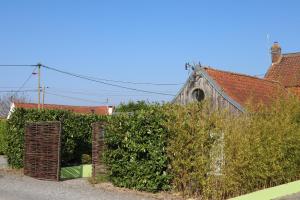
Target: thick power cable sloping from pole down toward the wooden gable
(105, 83)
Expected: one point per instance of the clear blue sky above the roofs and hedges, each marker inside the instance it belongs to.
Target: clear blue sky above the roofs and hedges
(141, 41)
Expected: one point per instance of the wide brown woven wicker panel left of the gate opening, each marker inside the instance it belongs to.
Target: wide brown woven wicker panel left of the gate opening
(42, 150)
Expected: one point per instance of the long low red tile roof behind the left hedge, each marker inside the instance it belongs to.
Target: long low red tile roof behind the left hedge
(99, 110)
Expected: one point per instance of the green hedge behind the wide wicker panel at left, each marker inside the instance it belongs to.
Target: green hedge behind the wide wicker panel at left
(75, 138)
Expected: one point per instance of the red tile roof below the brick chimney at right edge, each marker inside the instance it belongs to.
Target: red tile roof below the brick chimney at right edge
(286, 71)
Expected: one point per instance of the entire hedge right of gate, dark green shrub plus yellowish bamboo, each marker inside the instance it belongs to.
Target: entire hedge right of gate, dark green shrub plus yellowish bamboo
(203, 153)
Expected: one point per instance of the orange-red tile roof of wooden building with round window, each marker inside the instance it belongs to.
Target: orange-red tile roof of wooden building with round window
(244, 88)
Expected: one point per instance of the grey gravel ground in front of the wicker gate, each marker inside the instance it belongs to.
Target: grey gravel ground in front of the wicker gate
(15, 187)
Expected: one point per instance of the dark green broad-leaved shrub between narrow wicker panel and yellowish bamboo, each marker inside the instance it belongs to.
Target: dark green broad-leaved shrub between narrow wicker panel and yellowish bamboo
(135, 149)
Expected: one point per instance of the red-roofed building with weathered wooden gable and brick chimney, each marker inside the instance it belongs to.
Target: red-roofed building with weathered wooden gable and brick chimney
(233, 91)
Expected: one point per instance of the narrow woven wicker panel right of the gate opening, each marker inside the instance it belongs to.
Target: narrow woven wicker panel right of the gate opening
(98, 166)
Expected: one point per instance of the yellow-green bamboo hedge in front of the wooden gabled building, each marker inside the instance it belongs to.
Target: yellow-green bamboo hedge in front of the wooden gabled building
(217, 155)
